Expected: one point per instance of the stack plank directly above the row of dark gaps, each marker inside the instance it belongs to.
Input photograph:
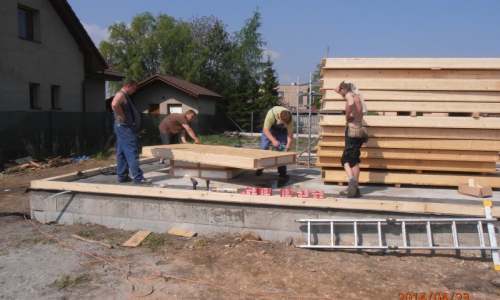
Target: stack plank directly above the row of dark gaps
(447, 107)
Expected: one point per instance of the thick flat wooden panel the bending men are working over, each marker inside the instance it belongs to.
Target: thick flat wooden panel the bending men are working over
(221, 155)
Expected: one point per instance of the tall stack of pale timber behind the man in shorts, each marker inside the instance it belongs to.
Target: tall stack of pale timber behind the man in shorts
(431, 121)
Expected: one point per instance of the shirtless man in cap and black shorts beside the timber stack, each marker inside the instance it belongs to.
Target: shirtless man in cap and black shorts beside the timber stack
(354, 111)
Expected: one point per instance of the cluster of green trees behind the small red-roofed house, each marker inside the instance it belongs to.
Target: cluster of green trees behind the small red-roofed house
(200, 51)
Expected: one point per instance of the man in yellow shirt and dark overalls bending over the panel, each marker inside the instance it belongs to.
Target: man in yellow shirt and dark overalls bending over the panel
(278, 128)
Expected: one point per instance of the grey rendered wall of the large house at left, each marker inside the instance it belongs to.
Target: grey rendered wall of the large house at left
(54, 60)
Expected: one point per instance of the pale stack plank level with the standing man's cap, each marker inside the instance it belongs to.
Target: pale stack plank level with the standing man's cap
(409, 83)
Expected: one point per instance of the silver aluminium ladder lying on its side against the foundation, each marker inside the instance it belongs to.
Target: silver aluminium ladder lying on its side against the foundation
(405, 223)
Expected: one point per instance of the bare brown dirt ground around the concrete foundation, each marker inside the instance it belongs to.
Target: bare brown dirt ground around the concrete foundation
(42, 261)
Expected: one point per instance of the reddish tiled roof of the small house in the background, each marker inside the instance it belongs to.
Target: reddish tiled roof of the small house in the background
(180, 84)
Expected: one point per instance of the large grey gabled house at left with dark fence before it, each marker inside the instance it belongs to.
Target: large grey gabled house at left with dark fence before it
(52, 76)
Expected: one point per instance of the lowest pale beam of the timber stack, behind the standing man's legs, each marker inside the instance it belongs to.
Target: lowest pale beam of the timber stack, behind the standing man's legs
(394, 176)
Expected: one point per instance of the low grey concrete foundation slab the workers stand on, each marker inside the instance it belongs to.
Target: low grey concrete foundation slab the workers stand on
(271, 221)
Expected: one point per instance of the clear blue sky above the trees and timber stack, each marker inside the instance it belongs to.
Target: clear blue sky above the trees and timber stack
(299, 34)
